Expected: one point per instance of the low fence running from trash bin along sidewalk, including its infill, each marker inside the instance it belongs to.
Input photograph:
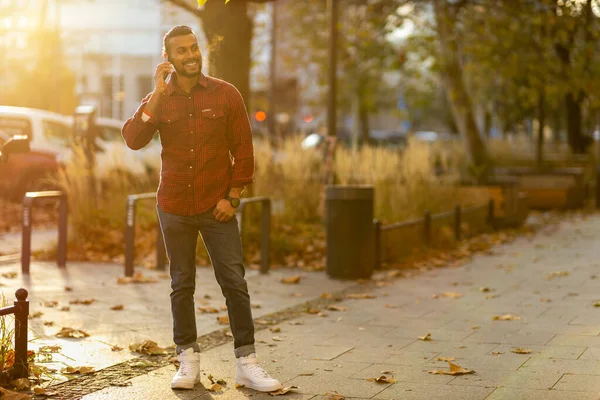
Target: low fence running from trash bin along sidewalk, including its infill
(394, 242)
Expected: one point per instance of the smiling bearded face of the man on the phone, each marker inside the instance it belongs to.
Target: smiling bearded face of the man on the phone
(184, 53)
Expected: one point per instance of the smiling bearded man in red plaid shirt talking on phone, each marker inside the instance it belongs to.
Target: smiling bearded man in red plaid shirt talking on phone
(201, 121)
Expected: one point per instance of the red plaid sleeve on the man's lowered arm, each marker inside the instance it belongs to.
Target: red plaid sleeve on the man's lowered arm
(239, 136)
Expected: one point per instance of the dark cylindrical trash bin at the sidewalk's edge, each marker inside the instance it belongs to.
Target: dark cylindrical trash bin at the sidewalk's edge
(349, 231)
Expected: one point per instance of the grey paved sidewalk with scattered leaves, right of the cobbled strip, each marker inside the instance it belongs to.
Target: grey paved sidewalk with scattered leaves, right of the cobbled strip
(548, 284)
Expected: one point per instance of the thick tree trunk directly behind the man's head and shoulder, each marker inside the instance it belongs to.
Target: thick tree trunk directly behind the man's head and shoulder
(228, 30)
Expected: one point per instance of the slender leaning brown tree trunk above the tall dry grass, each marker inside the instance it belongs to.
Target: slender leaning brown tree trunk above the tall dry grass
(458, 97)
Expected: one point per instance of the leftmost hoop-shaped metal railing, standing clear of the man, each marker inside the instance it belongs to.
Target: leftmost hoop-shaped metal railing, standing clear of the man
(27, 223)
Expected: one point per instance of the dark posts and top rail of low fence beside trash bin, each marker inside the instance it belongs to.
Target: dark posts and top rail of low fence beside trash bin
(458, 213)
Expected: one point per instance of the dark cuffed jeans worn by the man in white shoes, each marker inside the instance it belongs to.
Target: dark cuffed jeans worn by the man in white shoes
(224, 246)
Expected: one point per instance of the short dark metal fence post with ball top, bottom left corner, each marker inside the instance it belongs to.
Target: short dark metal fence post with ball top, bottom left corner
(20, 309)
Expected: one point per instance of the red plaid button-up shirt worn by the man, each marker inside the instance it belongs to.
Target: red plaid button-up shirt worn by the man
(206, 144)
